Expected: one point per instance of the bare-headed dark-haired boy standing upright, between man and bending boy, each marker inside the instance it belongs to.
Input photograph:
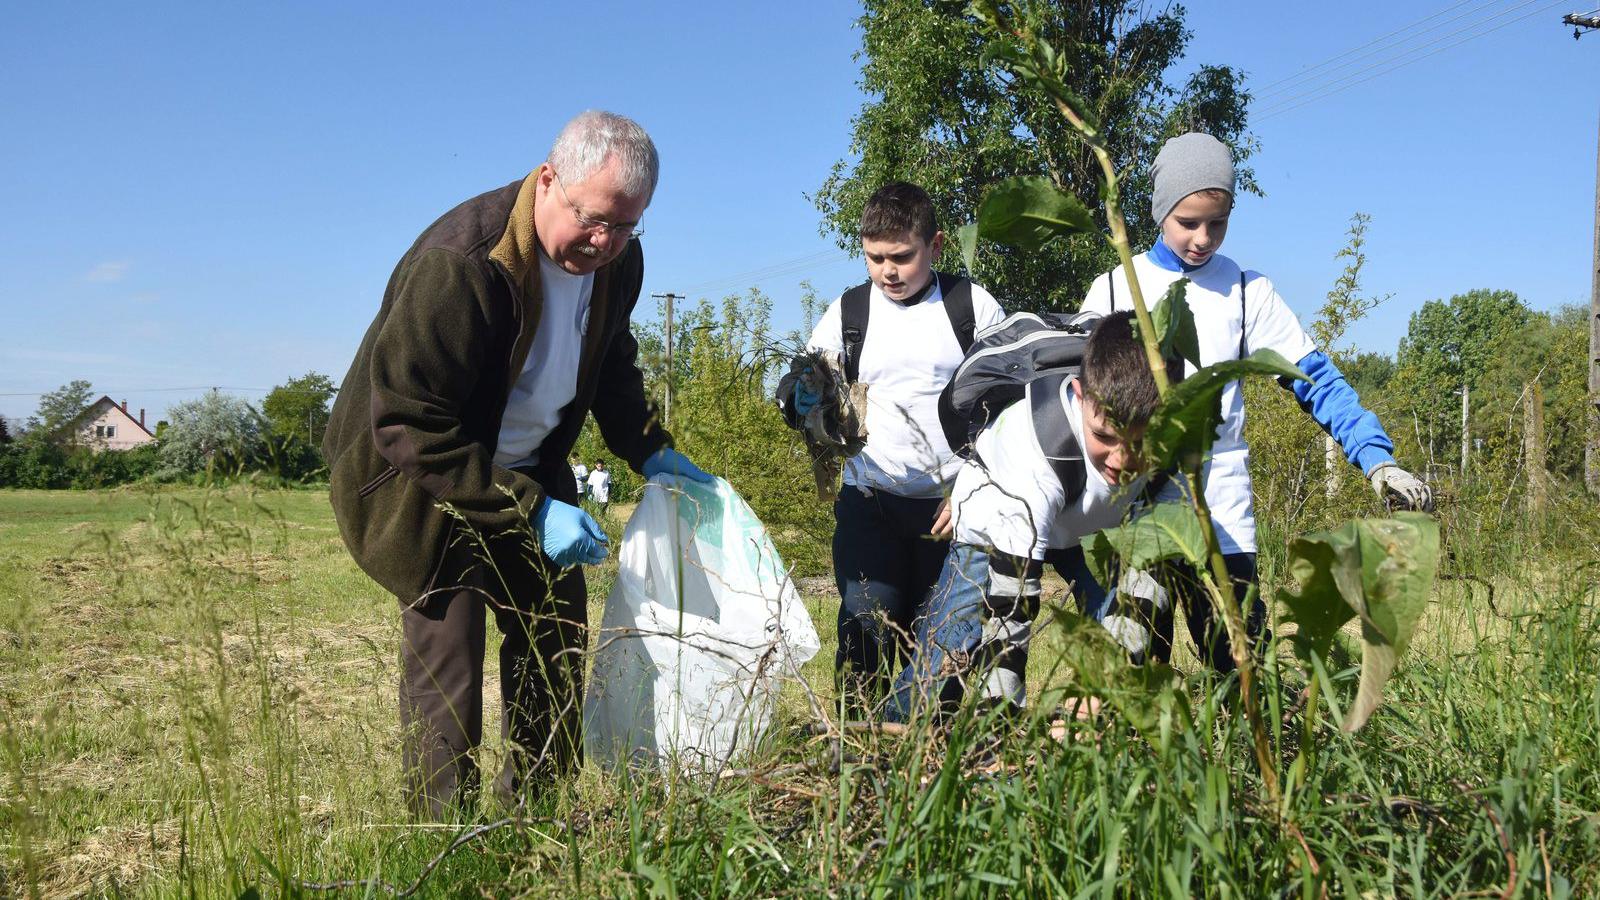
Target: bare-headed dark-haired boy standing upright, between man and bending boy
(892, 524)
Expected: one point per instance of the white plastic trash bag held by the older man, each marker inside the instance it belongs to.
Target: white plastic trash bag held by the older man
(698, 630)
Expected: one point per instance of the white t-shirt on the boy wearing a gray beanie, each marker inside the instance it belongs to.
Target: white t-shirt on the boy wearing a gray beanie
(1268, 324)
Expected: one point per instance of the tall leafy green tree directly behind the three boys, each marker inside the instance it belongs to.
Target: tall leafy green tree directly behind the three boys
(943, 119)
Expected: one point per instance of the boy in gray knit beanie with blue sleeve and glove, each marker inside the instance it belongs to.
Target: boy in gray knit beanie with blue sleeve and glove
(1238, 313)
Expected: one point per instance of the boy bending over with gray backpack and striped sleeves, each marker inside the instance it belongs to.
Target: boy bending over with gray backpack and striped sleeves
(1014, 515)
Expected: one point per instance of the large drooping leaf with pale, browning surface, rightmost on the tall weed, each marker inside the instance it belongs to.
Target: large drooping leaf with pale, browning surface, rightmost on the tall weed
(1380, 571)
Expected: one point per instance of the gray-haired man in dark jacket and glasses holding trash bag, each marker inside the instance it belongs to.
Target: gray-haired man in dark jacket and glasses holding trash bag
(500, 331)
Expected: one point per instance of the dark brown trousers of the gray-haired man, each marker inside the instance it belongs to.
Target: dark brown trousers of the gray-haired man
(543, 617)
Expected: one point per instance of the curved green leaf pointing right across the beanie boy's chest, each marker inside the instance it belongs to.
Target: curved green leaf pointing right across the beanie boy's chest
(1185, 425)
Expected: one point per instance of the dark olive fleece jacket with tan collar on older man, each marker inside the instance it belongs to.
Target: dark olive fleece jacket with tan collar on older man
(420, 412)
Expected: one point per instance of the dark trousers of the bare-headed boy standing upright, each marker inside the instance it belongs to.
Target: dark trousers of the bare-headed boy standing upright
(886, 563)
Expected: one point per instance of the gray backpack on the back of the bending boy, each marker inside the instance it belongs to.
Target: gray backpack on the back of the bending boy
(1026, 356)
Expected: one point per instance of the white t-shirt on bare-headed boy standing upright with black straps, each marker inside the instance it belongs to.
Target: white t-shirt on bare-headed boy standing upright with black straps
(906, 360)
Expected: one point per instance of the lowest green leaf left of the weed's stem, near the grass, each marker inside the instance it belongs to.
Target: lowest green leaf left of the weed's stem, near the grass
(1146, 696)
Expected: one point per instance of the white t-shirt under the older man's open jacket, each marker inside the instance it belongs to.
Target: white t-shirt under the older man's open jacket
(550, 377)
